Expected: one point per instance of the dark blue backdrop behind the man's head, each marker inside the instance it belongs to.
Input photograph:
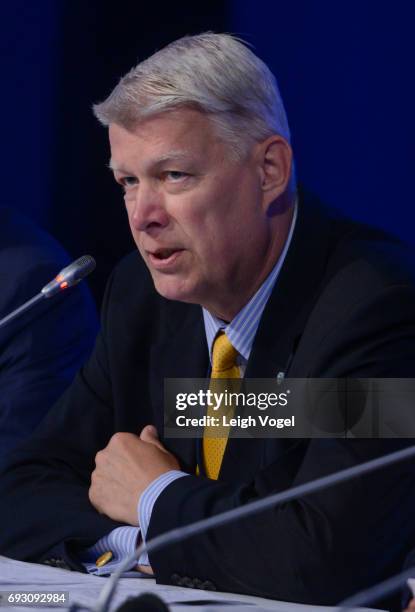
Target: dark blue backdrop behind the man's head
(345, 70)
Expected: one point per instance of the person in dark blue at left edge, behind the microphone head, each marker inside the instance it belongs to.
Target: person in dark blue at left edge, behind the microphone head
(41, 351)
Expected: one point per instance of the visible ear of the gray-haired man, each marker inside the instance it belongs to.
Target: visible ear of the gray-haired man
(276, 160)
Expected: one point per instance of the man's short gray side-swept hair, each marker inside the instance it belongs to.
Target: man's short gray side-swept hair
(214, 73)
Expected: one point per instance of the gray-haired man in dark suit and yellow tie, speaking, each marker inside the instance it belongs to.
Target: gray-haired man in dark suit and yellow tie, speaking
(231, 256)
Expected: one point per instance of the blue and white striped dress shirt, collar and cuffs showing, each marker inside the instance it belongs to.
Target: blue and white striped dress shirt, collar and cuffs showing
(240, 332)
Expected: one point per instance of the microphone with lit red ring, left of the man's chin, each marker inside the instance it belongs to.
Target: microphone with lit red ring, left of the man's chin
(68, 277)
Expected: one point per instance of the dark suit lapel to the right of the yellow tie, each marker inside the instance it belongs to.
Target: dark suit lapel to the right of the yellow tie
(280, 329)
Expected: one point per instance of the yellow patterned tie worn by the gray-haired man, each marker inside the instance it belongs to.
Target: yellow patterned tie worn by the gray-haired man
(223, 366)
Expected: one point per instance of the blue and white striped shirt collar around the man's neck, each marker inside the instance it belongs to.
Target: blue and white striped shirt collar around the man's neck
(242, 329)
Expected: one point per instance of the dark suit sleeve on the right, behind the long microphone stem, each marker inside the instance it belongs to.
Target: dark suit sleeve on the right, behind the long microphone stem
(326, 546)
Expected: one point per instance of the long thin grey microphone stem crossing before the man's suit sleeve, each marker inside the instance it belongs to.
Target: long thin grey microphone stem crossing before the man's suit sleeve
(182, 533)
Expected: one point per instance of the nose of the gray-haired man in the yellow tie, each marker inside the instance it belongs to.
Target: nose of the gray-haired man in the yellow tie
(148, 209)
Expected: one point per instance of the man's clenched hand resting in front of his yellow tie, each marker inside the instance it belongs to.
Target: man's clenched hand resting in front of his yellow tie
(124, 469)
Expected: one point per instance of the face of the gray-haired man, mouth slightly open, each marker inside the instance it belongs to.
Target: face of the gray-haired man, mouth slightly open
(196, 216)
